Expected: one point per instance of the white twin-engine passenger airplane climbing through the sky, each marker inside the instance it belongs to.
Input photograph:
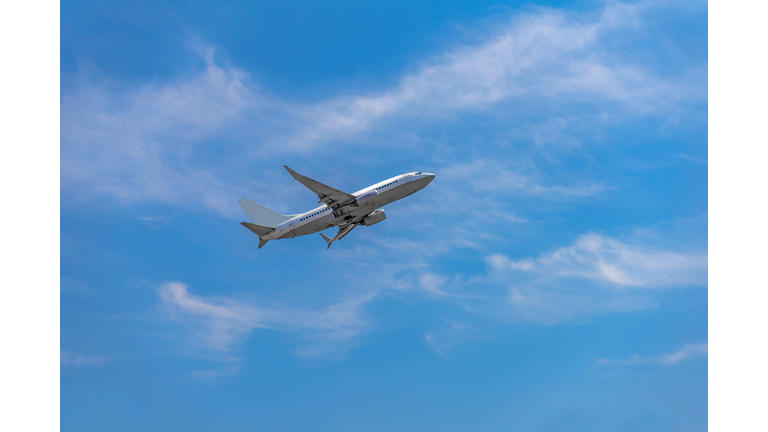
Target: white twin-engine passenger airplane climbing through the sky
(339, 209)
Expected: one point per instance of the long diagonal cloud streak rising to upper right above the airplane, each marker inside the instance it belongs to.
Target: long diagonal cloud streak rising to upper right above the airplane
(545, 56)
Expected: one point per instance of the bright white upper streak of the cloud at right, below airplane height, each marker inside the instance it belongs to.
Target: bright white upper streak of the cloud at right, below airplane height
(604, 259)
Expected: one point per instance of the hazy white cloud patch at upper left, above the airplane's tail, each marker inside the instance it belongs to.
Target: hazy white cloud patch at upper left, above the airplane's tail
(139, 144)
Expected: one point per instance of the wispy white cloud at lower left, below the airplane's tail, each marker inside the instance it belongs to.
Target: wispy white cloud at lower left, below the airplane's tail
(223, 323)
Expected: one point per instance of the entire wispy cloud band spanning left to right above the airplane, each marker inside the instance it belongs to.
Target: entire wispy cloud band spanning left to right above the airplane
(153, 142)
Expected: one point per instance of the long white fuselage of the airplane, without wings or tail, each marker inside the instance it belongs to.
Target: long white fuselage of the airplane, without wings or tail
(322, 217)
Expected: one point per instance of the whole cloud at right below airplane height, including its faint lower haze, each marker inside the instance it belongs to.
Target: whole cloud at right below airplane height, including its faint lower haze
(597, 273)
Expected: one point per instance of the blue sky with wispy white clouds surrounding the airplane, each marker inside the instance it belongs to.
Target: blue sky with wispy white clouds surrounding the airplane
(552, 277)
